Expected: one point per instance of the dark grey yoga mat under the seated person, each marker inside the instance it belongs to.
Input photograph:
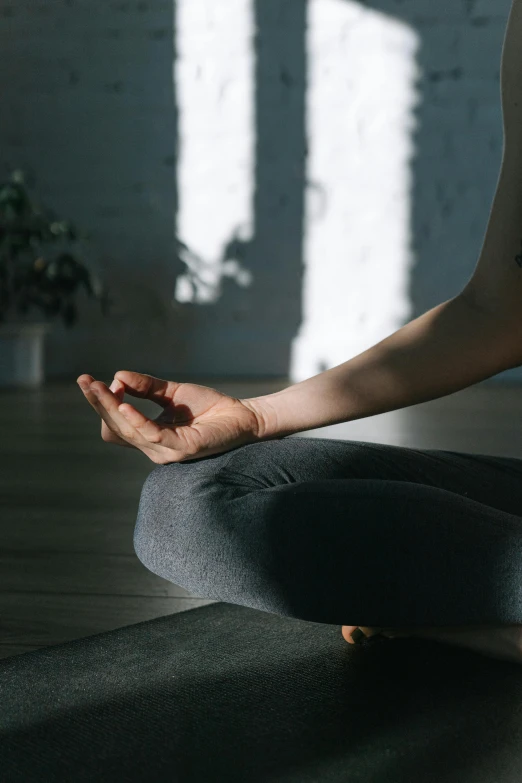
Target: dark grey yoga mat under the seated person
(225, 693)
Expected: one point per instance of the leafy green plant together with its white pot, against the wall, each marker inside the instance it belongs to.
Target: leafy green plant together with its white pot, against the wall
(39, 270)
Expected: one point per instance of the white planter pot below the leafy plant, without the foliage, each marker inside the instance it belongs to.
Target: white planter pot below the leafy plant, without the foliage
(22, 353)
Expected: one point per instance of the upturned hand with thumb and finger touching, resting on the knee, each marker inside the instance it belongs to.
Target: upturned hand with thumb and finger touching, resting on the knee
(196, 421)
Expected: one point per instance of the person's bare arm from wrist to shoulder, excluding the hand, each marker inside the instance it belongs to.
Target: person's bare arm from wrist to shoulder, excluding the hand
(467, 339)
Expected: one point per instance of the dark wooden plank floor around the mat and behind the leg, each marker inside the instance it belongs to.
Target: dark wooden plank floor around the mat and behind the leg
(68, 502)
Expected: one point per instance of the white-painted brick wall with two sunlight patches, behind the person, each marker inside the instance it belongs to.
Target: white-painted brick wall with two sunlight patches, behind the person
(359, 200)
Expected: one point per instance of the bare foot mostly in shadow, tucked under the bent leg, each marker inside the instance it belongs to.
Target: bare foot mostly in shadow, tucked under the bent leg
(500, 641)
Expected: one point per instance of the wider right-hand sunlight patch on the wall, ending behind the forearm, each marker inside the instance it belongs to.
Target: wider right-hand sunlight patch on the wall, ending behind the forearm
(361, 97)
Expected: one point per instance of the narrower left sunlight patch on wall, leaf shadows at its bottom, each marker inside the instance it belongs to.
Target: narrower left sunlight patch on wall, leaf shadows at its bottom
(213, 74)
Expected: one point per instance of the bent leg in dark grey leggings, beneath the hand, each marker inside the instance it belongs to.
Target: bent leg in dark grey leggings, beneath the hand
(341, 532)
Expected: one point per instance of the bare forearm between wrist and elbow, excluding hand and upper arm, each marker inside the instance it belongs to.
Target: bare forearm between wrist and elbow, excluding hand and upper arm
(447, 349)
